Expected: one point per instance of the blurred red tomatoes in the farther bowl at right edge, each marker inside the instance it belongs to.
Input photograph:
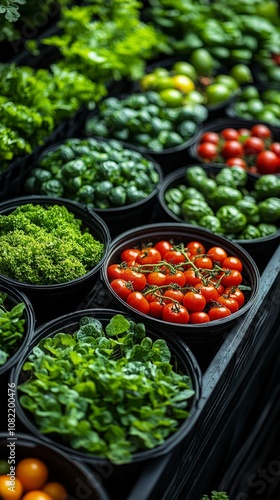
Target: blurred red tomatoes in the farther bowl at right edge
(251, 148)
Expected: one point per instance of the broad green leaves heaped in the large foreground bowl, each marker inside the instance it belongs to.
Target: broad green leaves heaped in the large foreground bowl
(110, 391)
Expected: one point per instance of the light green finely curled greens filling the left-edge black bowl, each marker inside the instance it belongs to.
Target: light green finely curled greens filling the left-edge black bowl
(46, 245)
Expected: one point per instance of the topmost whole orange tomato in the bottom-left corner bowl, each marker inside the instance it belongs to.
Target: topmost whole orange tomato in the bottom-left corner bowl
(32, 472)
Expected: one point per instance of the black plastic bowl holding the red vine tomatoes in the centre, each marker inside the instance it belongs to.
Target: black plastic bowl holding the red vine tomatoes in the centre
(192, 334)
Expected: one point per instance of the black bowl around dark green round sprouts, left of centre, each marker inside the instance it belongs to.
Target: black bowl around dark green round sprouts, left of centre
(119, 217)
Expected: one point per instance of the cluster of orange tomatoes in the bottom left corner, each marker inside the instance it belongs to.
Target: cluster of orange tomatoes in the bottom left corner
(29, 482)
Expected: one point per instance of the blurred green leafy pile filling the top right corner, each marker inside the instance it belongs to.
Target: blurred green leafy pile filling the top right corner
(233, 31)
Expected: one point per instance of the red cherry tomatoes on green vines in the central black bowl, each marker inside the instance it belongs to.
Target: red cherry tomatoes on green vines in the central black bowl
(179, 283)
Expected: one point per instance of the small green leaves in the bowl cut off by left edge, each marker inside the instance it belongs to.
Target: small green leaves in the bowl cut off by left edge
(12, 327)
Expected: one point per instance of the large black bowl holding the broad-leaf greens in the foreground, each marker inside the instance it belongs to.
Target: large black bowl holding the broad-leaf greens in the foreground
(182, 359)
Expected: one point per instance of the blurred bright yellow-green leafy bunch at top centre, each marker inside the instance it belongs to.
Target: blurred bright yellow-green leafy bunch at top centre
(106, 40)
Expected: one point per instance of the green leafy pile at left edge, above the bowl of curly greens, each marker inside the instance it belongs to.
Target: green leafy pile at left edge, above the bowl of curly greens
(33, 102)
